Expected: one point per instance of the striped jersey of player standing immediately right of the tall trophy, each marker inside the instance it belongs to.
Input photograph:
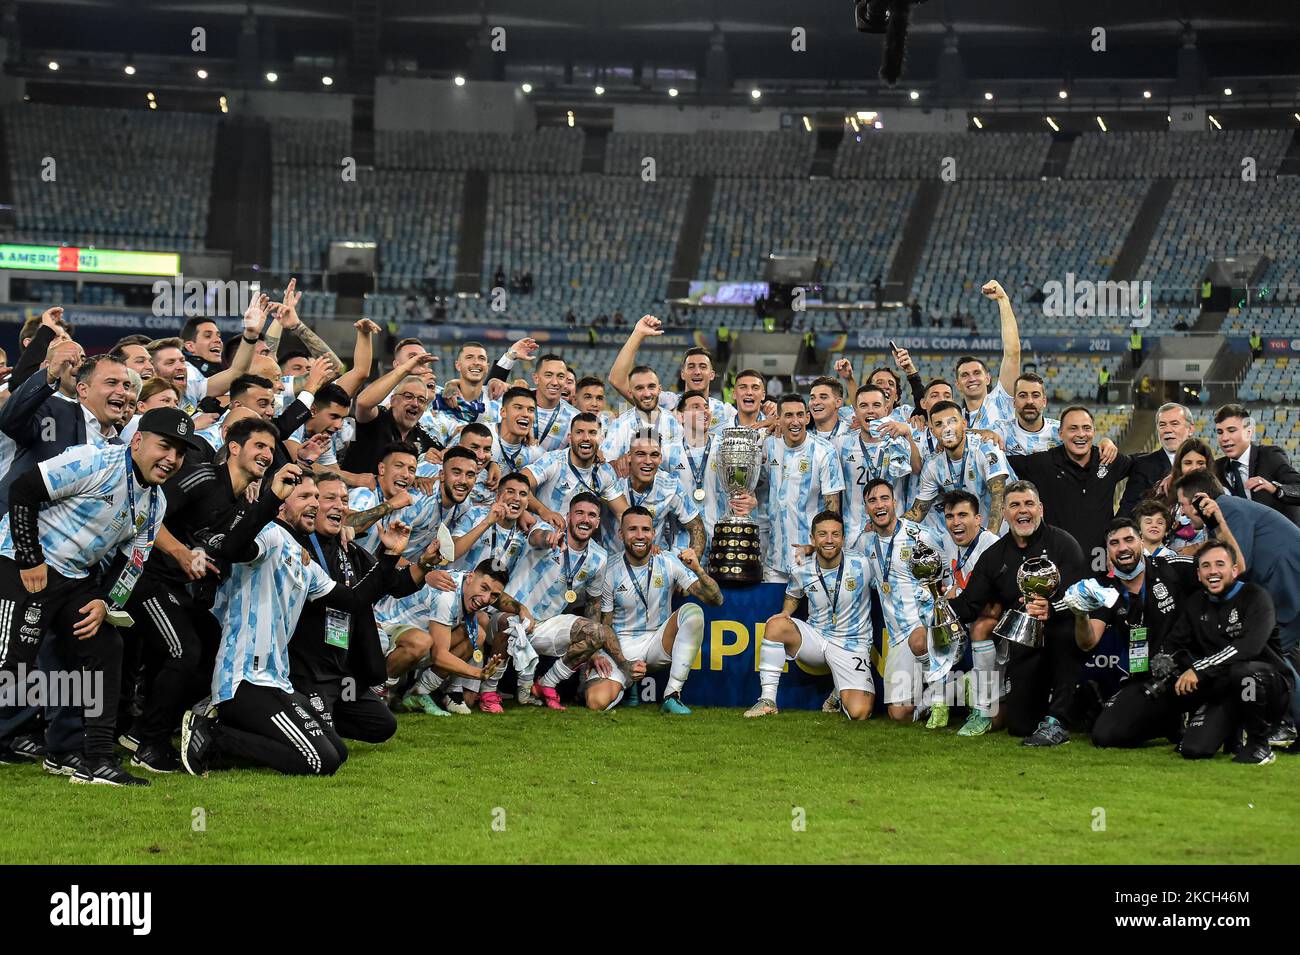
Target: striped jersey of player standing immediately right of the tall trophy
(798, 483)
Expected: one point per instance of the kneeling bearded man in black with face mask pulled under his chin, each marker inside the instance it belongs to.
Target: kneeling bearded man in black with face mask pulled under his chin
(1154, 591)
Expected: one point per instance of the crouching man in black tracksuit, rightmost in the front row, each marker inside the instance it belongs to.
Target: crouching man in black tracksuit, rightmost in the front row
(1230, 661)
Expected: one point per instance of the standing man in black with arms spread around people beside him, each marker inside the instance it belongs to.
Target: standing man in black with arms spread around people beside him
(1078, 490)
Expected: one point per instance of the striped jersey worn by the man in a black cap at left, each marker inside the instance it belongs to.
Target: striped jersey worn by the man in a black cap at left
(90, 515)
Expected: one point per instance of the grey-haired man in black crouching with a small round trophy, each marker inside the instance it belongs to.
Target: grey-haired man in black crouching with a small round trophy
(1042, 679)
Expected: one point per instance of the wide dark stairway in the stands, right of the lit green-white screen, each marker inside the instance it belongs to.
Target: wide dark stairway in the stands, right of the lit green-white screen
(240, 196)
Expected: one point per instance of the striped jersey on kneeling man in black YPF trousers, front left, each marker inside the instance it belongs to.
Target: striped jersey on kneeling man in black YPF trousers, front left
(259, 606)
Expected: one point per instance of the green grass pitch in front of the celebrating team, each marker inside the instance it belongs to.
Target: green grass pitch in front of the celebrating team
(636, 787)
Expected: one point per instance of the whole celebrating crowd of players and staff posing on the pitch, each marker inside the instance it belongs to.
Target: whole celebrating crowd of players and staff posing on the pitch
(266, 553)
